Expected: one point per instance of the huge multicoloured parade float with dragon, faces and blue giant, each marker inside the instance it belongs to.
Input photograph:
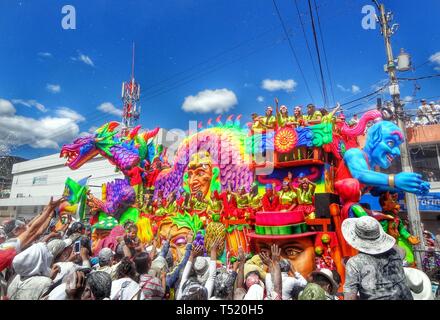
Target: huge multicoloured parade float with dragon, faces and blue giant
(251, 185)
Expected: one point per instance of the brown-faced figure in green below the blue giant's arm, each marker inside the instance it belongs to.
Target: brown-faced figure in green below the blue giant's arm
(395, 227)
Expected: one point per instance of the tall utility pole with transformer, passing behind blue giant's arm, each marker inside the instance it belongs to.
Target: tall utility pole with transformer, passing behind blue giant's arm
(410, 198)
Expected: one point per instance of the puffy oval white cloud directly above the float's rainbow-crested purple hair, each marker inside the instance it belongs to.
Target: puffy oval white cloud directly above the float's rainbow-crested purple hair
(217, 101)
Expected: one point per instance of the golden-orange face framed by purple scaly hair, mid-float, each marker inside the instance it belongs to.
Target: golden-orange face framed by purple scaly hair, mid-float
(200, 173)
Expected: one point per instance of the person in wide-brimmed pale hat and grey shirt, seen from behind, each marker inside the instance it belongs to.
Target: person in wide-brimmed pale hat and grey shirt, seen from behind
(376, 272)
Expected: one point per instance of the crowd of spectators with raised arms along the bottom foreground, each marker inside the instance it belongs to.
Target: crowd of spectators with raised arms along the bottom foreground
(38, 263)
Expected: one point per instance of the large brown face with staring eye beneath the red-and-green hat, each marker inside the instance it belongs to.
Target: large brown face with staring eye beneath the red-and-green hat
(299, 251)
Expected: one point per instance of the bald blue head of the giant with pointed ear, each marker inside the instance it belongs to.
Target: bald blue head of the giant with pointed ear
(383, 143)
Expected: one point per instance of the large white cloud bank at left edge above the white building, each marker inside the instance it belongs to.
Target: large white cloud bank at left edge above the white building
(46, 132)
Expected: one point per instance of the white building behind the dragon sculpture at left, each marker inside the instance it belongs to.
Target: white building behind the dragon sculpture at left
(35, 181)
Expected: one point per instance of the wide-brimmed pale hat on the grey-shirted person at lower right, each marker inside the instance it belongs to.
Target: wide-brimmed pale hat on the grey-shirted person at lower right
(366, 235)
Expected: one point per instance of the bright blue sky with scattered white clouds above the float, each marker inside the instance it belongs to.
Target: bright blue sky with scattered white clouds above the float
(52, 80)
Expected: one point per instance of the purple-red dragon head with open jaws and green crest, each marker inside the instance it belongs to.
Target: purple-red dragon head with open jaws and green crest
(85, 148)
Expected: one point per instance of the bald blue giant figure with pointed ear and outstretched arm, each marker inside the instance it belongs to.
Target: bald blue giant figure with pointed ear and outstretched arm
(381, 147)
